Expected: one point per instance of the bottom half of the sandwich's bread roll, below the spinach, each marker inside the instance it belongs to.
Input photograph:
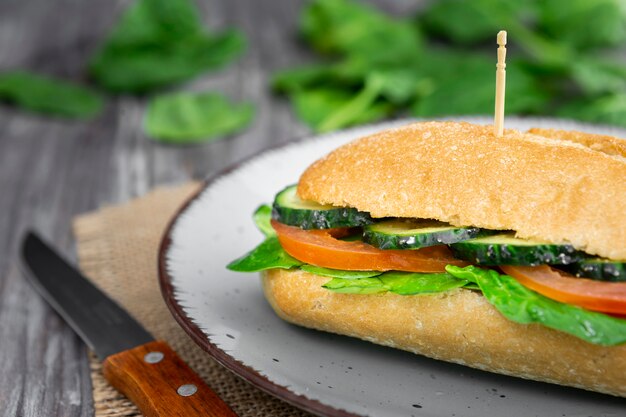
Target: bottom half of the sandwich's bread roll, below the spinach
(459, 326)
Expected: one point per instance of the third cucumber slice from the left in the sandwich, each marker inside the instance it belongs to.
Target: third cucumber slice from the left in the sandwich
(505, 249)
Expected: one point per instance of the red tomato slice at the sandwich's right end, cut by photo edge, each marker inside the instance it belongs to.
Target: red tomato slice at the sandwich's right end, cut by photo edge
(606, 297)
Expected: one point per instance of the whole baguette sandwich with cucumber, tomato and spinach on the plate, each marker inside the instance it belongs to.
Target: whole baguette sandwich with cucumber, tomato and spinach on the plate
(503, 253)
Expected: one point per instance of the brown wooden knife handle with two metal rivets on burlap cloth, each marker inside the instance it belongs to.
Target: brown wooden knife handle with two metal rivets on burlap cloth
(160, 384)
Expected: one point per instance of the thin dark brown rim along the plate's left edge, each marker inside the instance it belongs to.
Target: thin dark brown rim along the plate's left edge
(238, 368)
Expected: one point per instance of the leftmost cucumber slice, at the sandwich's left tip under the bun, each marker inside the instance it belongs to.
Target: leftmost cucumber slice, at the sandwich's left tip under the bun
(290, 209)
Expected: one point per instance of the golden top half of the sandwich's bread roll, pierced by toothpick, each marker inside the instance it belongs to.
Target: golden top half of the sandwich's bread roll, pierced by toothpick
(559, 188)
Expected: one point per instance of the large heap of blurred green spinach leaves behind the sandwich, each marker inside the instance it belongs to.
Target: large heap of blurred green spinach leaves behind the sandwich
(564, 59)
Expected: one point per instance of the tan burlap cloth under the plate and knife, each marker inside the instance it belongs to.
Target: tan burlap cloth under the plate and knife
(117, 249)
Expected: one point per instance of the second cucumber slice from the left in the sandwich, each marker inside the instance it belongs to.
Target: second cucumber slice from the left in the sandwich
(415, 234)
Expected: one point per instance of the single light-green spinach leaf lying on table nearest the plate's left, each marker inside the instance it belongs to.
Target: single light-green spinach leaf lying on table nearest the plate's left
(188, 118)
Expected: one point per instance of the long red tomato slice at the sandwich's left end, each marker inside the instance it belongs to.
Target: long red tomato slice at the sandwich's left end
(323, 248)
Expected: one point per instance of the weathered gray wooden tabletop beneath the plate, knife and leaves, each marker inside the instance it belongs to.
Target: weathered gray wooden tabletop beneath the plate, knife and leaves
(52, 170)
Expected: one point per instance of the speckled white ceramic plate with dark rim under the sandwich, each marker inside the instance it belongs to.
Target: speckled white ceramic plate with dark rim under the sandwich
(326, 374)
